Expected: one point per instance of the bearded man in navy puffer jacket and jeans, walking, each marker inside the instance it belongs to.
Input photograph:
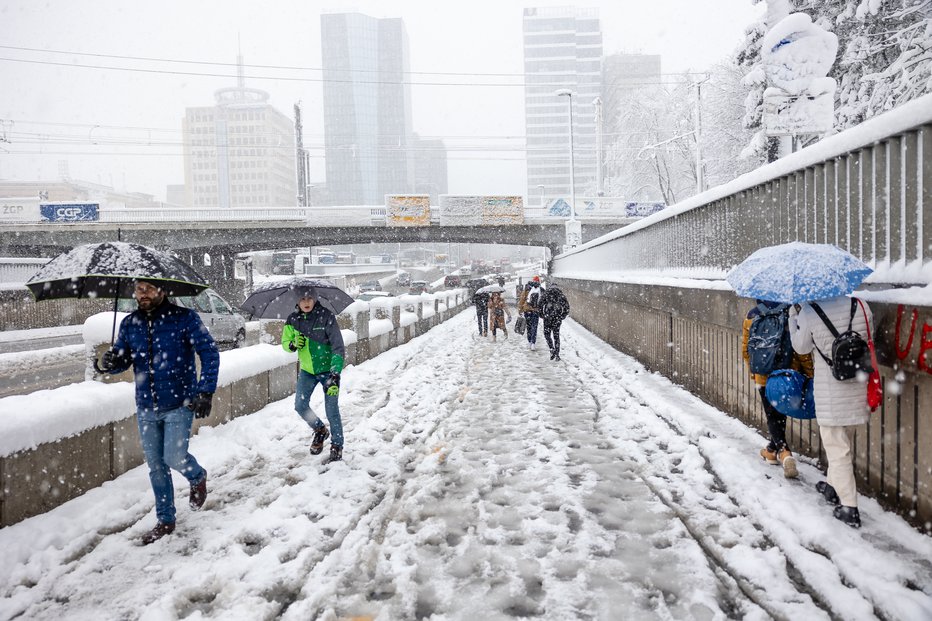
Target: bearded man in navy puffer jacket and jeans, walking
(160, 340)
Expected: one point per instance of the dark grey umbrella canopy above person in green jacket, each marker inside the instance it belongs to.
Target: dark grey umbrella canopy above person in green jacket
(277, 300)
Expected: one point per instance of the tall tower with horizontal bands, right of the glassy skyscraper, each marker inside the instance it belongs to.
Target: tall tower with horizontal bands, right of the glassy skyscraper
(562, 50)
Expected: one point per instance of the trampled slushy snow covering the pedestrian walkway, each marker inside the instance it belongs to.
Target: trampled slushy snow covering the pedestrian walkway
(481, 481)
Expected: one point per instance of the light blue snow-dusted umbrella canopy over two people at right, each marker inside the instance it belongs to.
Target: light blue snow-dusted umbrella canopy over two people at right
(797, 272)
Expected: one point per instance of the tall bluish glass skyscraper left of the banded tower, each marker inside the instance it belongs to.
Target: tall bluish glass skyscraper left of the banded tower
(367, 108)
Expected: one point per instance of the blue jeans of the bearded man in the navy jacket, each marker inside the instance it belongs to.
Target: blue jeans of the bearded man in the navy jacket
(164, 437)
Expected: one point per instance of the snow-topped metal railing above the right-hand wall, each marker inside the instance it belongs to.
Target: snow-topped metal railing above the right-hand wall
(867, 190)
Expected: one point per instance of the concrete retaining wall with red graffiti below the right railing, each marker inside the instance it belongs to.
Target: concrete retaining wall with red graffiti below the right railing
(693, 336)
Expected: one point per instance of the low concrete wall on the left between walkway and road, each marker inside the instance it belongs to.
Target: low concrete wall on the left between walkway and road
(35, 481)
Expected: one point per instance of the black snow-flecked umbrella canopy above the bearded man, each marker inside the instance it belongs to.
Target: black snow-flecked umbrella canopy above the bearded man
(108, 269)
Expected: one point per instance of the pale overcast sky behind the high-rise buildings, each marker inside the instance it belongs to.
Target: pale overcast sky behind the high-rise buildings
(475, 37)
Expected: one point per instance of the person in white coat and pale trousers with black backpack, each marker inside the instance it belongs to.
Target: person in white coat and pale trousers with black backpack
(840, 405)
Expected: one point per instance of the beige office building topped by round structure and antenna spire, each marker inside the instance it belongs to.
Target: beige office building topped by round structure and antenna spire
(239, 152)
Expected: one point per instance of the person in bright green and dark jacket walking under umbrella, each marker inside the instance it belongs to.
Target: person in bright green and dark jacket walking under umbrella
(312, 331)
